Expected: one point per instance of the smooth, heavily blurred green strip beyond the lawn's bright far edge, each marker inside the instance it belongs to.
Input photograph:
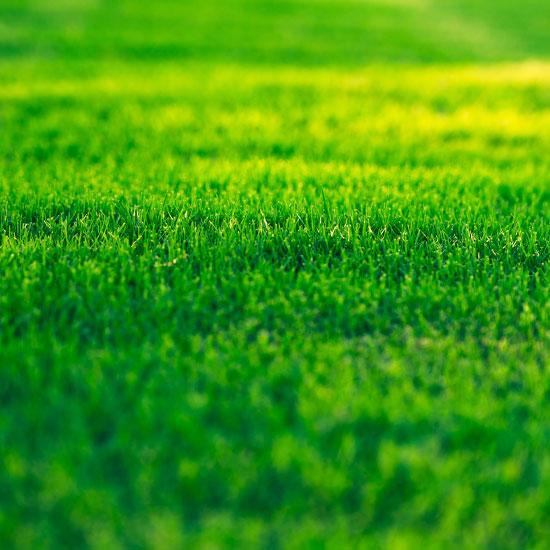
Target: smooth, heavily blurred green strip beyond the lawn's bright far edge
(300, 32)
